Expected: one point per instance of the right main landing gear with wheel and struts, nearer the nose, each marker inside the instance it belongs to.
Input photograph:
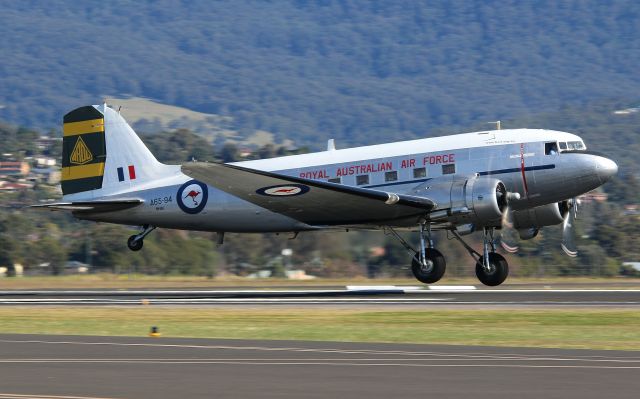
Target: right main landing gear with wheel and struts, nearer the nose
(491, 267)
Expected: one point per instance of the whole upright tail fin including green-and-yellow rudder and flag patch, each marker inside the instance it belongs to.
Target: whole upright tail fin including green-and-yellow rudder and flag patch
(102, 155)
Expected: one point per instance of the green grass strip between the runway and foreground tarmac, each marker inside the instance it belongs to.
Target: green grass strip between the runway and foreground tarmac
(576, 328)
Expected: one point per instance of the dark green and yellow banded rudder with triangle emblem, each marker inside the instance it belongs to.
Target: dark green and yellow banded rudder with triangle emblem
(83, 150)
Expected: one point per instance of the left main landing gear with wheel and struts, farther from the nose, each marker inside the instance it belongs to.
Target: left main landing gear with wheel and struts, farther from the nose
(428, 264)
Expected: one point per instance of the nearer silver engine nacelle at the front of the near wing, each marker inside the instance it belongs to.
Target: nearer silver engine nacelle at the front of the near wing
(461, 200)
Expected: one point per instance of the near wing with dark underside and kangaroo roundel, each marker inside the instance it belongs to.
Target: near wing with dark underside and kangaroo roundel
(309, 201)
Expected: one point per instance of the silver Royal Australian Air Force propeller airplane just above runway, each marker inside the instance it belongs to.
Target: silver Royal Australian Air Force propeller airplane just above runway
(488, 181)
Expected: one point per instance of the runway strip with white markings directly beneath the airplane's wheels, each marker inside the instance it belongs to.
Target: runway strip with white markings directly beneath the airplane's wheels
(392, 296)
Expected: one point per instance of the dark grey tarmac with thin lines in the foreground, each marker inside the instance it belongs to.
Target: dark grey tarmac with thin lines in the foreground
(40, 366)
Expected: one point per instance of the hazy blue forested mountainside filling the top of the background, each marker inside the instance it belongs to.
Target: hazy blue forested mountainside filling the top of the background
(361, 71)
